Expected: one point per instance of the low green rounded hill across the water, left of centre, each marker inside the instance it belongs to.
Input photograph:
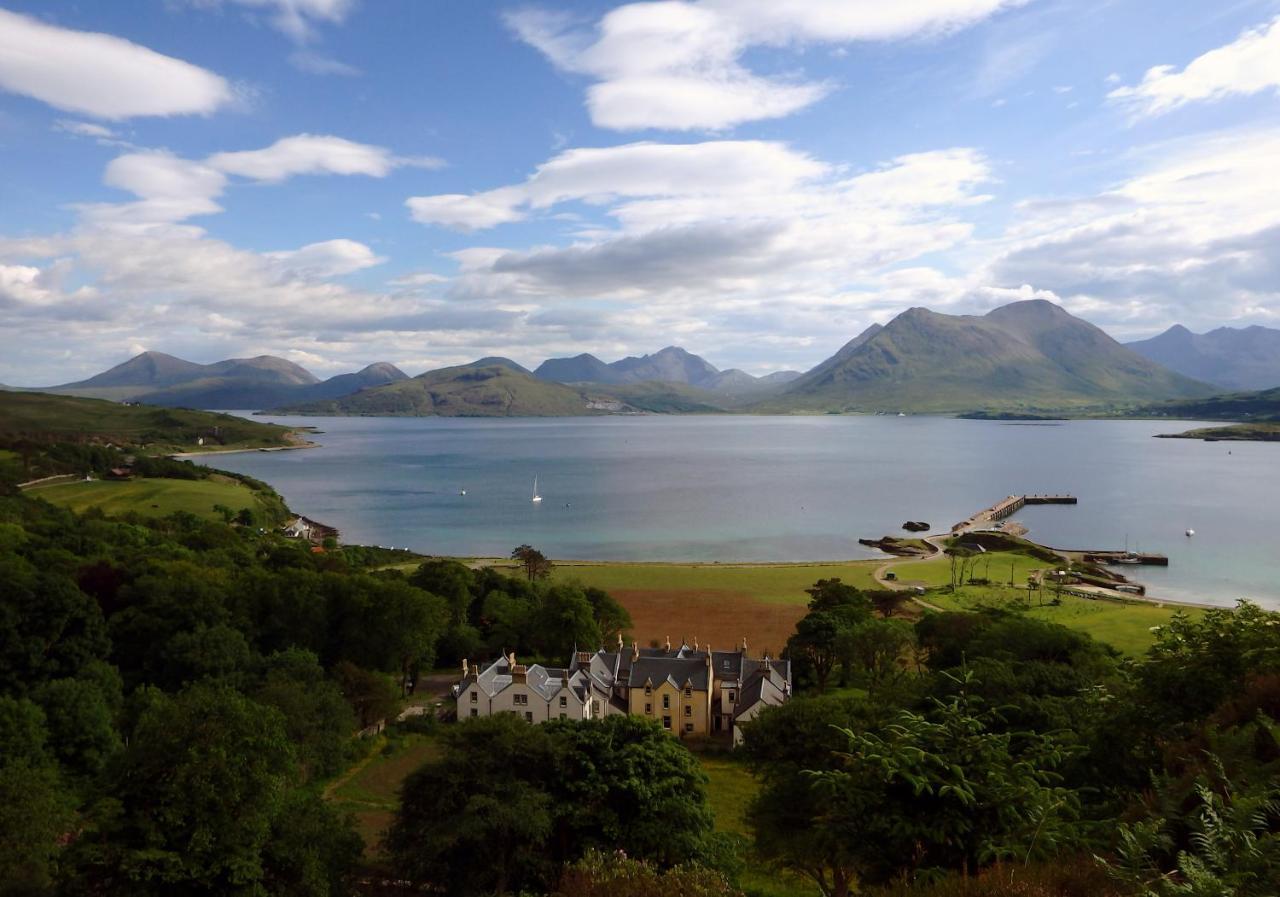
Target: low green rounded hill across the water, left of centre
(467, 391)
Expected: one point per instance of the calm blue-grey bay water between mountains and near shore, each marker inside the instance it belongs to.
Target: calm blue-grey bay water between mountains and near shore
(740, 488)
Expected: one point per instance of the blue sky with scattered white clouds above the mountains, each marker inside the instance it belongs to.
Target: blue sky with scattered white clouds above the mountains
(426, 182)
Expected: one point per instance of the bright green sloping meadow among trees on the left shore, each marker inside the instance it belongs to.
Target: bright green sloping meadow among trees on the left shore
(152, 497)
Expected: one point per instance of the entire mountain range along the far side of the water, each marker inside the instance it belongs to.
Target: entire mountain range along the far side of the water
(1028, 356)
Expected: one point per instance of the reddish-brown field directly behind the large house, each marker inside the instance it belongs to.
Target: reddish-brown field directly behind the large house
(719, 617)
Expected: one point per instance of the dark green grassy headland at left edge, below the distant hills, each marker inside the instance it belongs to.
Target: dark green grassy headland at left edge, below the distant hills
(63, 418)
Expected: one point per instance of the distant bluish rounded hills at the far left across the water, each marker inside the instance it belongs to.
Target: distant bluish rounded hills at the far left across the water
(154, 378)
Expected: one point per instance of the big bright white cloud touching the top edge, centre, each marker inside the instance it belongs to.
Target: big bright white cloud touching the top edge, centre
(676, 65)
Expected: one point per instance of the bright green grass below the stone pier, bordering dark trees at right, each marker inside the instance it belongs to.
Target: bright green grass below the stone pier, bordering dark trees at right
(1126, 626)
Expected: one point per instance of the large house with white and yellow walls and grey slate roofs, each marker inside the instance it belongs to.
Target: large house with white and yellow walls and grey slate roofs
(691, 692)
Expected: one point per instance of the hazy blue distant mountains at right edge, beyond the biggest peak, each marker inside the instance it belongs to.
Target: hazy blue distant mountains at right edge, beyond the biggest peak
(1237, 359)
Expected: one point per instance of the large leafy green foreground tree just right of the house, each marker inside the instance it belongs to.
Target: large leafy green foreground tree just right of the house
(938, 790)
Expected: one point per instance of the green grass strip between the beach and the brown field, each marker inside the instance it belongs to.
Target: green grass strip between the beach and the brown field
(772, 584)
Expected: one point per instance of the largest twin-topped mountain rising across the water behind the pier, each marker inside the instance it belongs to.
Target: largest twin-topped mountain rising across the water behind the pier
(1027, 355)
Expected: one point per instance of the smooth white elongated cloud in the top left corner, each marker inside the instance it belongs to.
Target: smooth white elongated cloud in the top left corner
(102, 76)
